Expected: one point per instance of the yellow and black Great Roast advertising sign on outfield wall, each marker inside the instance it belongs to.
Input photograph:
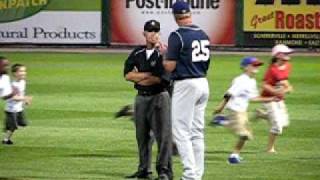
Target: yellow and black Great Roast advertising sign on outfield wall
(291, 22)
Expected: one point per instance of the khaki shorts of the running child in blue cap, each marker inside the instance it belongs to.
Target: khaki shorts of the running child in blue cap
(239, 124)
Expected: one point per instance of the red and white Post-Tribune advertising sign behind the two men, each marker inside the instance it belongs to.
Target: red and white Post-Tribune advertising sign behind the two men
(215, 17)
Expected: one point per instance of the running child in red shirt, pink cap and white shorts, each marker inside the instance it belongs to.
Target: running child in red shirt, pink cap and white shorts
(276, 83)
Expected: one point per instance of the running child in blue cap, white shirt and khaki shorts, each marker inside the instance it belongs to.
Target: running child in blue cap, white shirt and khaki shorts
(236, 100)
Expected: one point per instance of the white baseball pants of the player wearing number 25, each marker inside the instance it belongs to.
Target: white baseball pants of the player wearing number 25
(189, 100)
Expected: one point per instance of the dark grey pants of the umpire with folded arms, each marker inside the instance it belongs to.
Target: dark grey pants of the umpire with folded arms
(152, 113)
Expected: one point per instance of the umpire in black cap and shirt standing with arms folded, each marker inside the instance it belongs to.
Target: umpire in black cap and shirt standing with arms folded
(152, 103)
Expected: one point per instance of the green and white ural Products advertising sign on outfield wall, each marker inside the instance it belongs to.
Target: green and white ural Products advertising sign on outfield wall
(42, 21)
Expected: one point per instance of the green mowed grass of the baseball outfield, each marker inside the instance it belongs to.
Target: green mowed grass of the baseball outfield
(72, 133)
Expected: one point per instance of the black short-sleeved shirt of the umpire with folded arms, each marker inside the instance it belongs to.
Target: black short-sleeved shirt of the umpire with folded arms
(138, 60)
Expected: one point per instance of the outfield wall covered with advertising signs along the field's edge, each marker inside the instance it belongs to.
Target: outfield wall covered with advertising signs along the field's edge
(235, 23)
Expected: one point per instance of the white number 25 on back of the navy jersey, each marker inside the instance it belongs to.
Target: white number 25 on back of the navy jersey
(200, 50)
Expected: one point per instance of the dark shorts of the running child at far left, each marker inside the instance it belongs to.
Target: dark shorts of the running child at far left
(14, 120)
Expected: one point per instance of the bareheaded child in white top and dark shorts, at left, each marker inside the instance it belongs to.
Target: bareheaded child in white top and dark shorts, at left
(15, 105)
